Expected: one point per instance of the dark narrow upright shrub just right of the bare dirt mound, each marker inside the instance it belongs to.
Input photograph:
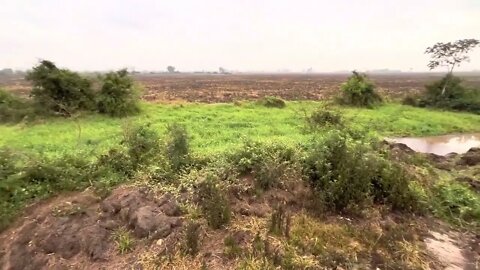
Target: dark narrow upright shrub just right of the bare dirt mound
(213, 203)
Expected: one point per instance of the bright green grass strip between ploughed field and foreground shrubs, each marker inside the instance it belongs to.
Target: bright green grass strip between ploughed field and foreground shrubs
(216, 127)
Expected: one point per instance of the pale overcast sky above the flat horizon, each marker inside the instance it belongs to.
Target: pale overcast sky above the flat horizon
(247, 35)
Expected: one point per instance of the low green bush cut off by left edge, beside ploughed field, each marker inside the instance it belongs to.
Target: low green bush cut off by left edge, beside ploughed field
(13, 108)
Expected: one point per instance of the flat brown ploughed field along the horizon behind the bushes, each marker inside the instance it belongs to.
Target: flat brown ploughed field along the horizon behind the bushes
(227, 88)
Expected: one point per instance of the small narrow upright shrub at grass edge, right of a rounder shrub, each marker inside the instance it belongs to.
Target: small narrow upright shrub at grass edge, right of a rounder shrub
(177, 146)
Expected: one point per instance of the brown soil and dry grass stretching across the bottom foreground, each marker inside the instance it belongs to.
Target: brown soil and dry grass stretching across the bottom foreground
(77, 231)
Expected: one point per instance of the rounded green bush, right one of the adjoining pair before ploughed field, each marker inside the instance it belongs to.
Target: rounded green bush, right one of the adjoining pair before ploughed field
(118, 95)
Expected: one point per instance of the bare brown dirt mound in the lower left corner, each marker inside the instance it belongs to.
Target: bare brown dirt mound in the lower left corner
(78, 233)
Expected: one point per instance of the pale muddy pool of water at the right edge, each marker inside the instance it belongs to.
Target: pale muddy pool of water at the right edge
(442, 145)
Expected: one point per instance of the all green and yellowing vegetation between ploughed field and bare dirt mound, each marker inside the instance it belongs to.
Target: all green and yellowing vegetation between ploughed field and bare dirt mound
(208, 151)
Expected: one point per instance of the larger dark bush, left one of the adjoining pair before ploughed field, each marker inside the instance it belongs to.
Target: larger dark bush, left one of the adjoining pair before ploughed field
(60, 91)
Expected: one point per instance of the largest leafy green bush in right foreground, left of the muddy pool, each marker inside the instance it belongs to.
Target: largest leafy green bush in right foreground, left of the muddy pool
(348, 173)
